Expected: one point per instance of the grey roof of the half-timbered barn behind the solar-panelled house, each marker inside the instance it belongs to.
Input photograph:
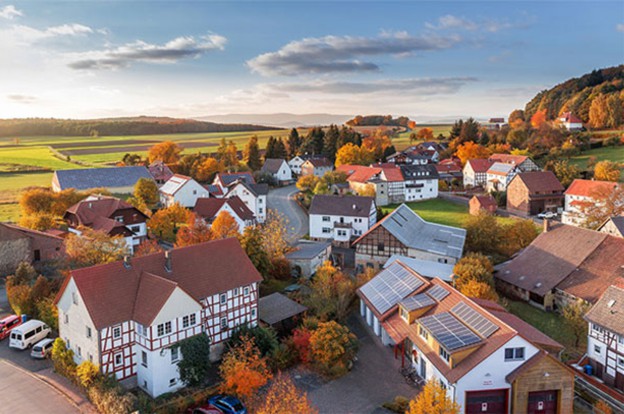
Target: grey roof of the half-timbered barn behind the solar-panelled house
(416, 233)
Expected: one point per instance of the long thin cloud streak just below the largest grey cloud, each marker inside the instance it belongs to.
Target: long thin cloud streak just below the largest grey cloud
(420, 86)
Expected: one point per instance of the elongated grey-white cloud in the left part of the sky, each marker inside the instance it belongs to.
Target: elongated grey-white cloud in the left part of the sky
(140, 51)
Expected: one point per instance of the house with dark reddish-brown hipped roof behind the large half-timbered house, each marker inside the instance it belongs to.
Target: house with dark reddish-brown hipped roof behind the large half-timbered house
(110, 215)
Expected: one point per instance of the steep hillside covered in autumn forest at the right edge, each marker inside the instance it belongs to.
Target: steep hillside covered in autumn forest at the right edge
(577, 94)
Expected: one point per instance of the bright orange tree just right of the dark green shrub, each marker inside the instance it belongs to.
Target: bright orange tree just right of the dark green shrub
(243, 370)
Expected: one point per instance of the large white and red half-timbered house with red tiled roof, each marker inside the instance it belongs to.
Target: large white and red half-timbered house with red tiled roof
(127, 317)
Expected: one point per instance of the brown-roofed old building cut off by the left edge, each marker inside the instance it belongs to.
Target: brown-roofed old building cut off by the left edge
(19, 244)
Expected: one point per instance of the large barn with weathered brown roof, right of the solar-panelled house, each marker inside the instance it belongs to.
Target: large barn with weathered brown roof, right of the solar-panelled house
(563, 264)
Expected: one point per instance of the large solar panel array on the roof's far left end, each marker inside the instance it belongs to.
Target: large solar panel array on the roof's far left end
(390, 286)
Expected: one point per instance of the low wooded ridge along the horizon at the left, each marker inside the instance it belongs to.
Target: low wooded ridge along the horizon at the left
(115, 127)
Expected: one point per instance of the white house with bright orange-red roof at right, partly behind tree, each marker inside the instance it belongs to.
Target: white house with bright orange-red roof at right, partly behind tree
(582, 194)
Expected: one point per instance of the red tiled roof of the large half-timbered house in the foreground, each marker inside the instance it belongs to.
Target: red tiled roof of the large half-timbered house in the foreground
(110, 291)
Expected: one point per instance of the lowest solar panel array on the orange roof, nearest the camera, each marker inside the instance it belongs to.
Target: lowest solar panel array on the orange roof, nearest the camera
(448, 331)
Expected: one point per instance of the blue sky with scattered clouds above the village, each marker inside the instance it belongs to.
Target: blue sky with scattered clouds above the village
(426, 60)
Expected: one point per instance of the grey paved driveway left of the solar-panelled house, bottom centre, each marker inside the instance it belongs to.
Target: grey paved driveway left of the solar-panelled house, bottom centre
(374, 380)
